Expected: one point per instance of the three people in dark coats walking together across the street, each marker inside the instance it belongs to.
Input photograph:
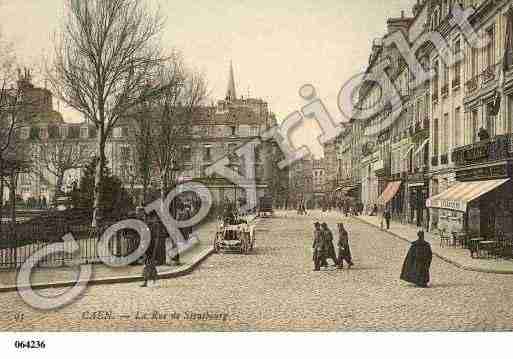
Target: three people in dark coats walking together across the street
(324, 249)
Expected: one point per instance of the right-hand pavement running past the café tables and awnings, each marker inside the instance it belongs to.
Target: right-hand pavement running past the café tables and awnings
(456, 256)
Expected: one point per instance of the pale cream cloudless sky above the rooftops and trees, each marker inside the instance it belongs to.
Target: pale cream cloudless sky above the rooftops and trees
(275, 46)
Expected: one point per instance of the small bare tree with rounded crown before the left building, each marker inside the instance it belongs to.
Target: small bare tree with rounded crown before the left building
(55, 157)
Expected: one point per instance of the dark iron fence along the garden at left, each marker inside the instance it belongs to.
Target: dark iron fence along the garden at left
(18, 244)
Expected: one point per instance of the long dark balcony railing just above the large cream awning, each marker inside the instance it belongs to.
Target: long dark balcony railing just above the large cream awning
(495, 149)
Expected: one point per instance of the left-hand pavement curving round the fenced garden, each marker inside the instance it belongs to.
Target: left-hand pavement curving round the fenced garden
(65, 276)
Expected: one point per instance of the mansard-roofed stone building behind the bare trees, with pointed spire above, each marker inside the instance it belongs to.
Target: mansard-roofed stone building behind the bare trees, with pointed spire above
(217, 130)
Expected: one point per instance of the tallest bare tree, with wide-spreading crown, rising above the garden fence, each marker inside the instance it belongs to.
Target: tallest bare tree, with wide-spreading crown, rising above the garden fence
(106, 54)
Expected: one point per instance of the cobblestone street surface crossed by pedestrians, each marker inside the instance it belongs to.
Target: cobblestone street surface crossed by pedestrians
(276, 289)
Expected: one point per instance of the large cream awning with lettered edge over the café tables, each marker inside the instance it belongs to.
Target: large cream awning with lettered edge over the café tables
(458, 196)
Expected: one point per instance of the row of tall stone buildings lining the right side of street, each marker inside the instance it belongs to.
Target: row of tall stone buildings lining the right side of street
(450, 131)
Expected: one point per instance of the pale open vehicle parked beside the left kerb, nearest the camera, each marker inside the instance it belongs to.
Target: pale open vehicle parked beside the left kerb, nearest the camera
(238, 238)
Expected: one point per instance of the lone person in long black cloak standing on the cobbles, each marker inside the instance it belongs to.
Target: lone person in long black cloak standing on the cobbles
(417, 262)
